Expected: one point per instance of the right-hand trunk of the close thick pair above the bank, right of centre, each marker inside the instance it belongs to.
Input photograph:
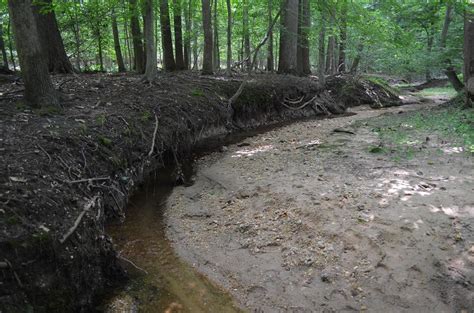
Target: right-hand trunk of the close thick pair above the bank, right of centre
(304, 24)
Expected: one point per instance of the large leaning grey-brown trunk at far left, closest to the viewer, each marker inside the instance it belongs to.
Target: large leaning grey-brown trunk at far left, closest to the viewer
(39, 90)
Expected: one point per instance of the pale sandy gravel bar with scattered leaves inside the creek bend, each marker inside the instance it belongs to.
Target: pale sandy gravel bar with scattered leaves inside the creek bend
(370, 212)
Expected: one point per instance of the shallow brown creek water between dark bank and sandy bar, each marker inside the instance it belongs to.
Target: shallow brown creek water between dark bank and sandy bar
(169, 284)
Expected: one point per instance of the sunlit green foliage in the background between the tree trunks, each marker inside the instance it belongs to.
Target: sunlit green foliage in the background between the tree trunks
(394, 37)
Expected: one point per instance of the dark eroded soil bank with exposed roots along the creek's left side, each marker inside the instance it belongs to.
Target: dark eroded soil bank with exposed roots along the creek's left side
(66, 173)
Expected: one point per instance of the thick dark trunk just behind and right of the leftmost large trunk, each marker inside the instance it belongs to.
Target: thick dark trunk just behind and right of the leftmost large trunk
(50, 38)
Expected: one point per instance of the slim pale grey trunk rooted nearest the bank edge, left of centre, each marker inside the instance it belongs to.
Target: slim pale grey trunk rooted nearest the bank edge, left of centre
(151, 65)
